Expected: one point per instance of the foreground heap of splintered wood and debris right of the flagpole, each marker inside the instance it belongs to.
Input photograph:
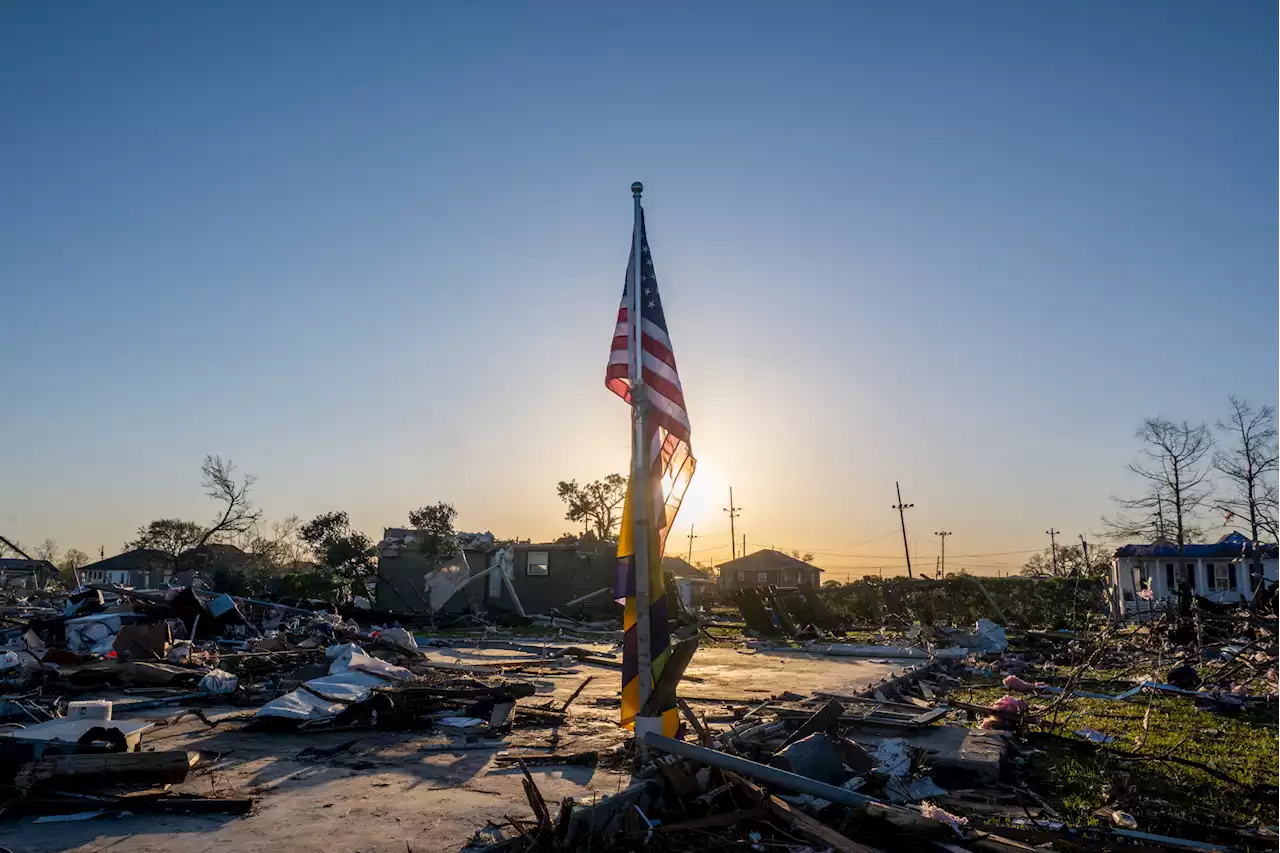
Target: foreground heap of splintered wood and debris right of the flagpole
(916, 765)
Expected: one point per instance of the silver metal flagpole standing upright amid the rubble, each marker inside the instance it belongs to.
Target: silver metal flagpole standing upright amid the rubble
(642, 491)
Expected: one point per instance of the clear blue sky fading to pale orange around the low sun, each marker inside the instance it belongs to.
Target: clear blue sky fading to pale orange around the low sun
(373, 253)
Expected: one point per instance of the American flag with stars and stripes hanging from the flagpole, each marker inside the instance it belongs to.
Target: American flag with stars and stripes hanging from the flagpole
(670, 454)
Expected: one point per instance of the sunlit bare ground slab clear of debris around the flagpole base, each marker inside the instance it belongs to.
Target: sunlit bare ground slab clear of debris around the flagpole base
(388, 792)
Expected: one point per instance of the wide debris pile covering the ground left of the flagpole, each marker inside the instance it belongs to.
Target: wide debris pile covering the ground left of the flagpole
(85, 676)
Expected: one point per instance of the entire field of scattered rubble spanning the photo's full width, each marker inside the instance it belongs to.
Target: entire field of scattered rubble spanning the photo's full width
(956, 749)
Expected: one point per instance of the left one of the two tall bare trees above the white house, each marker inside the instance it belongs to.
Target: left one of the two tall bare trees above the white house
(1172, 464)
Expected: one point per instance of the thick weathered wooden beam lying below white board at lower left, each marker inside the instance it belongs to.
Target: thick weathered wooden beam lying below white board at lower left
(93, 770)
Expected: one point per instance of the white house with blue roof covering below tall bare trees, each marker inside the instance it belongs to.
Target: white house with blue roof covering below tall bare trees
(1228, 571)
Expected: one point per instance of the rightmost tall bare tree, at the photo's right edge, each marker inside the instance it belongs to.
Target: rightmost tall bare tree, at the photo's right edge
(1249, 464)
